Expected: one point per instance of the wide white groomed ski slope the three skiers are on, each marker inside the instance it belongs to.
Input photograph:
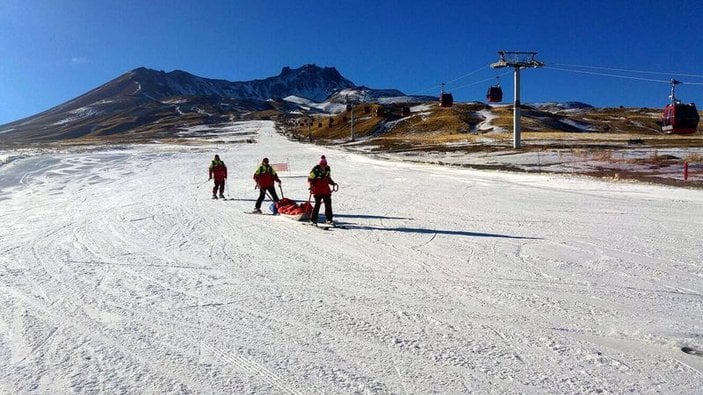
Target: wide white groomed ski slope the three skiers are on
(120, 274)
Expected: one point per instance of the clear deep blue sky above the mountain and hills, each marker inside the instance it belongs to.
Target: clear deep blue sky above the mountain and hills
(52, 51)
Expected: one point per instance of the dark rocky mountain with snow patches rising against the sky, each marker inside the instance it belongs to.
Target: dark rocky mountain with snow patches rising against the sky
(152, 103)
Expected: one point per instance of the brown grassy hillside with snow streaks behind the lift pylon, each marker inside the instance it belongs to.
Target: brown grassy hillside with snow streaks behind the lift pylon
(415, 127)
